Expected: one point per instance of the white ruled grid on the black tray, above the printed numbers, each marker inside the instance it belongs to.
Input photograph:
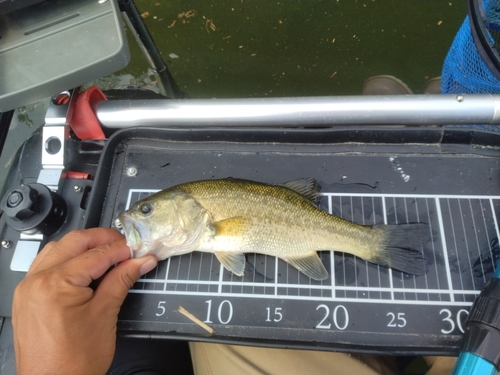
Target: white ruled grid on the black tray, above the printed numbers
(463, 229)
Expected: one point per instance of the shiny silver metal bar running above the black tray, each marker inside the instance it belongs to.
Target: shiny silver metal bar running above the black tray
(303, 111)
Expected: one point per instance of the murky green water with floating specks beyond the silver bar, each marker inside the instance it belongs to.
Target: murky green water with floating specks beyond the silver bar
(259, 48)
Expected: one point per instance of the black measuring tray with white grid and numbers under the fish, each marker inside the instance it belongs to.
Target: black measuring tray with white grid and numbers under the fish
(360, 307)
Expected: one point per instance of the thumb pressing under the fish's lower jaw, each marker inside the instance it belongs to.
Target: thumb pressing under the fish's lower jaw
(114, 287)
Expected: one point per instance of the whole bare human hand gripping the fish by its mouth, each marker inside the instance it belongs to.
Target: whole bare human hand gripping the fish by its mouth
(61, 325)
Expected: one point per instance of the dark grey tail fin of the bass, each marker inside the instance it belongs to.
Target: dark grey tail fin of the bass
(401, 247)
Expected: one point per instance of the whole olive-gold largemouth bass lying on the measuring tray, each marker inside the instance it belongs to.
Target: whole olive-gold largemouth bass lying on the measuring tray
(231, 217)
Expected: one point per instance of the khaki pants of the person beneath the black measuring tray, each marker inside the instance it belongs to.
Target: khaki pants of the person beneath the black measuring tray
(220, 359)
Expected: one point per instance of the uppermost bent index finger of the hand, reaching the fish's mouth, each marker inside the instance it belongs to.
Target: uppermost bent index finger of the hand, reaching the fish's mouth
(75, 243)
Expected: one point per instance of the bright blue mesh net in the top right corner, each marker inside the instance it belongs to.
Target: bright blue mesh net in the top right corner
(464, 71)
